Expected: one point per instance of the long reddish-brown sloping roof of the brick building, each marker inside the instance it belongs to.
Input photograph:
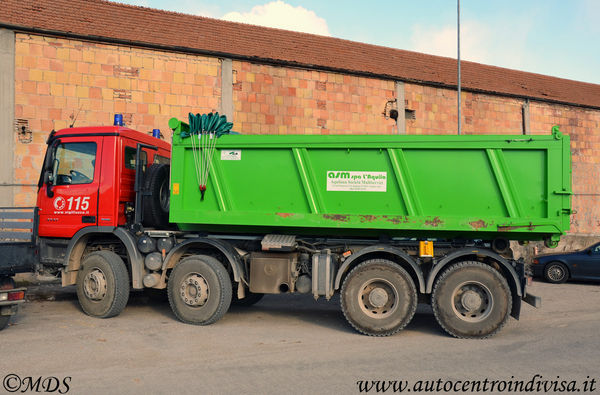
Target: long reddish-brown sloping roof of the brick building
(140, 26)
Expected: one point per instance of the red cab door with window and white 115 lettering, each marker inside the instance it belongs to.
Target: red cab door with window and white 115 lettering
(68, 201)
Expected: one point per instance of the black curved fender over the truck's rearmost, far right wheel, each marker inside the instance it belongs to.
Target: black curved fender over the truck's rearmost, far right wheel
(504, 267)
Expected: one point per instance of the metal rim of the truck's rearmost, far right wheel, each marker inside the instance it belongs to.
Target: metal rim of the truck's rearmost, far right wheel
(472, 301)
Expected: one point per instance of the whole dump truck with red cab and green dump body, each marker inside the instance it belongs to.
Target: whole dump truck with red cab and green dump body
(385, 221)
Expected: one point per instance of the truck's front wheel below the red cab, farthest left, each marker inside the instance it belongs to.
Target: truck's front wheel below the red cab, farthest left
(103, 284)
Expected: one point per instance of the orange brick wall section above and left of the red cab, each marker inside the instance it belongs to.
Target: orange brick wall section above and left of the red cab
(57, 80)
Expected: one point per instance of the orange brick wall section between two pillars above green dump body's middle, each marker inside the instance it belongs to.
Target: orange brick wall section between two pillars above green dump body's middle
(279, 100)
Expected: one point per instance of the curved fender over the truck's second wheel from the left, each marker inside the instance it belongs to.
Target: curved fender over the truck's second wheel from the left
(233, 257)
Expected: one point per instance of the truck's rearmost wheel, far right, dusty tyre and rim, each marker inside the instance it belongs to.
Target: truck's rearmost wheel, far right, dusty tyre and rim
(471, 300)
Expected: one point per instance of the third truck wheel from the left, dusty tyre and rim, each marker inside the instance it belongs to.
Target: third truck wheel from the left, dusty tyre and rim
(378, 298)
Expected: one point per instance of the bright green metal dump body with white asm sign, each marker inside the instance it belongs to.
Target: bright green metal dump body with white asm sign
(468, 186)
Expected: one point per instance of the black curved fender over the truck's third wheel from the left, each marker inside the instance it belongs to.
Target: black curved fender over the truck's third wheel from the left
(385, 252)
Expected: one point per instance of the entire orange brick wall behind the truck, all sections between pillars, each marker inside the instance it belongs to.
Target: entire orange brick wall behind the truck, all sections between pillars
(58, 78)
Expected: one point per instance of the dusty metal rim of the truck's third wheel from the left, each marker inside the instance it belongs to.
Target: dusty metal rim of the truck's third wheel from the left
(378, 298)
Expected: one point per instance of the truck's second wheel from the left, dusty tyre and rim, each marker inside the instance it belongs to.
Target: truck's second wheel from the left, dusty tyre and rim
(199, 290)
